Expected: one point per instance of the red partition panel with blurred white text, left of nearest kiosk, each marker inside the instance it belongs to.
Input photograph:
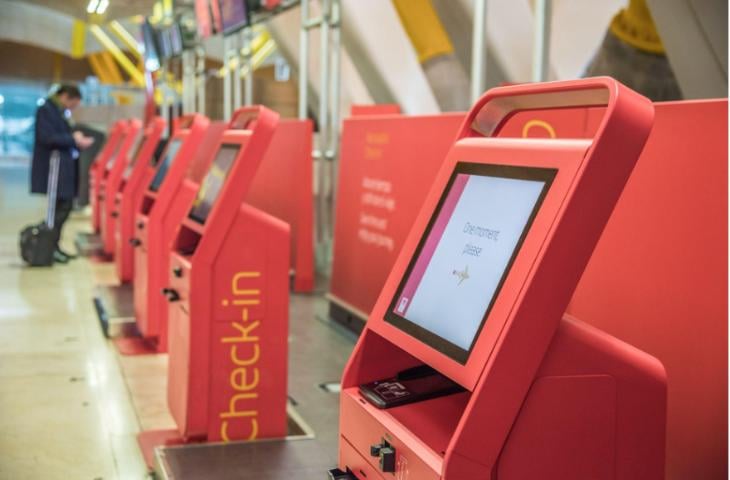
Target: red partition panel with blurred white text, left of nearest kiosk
(387, 166)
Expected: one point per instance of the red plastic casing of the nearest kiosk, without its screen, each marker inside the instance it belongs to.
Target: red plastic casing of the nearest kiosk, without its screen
(510, 353)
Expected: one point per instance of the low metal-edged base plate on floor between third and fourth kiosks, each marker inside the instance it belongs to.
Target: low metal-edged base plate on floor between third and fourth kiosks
(115, 308)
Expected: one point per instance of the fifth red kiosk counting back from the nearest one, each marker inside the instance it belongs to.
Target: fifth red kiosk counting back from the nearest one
(111, 182)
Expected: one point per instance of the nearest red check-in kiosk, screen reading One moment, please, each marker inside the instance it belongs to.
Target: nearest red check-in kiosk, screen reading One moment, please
(468, 367)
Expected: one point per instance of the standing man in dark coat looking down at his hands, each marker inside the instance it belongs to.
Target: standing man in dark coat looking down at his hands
(53, 132)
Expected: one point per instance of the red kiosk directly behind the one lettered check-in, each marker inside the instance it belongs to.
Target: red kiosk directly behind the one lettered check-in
(162, 208)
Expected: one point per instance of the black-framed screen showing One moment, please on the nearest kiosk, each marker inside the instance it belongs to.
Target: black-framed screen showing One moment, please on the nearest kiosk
(465, 254)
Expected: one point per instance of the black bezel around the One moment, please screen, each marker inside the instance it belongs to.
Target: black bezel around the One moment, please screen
(424, 335)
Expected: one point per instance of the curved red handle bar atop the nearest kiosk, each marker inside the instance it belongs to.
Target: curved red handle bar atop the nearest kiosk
(623, 106)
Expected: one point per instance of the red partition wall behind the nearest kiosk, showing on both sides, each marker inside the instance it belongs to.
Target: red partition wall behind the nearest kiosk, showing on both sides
(641, 287)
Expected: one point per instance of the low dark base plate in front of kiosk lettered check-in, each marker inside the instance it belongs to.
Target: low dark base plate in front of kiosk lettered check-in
(169, 454)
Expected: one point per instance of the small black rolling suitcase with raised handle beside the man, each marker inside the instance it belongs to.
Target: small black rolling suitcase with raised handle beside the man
(37, 242)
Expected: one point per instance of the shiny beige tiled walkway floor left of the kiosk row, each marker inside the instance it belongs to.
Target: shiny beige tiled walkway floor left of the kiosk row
(65, 410)
